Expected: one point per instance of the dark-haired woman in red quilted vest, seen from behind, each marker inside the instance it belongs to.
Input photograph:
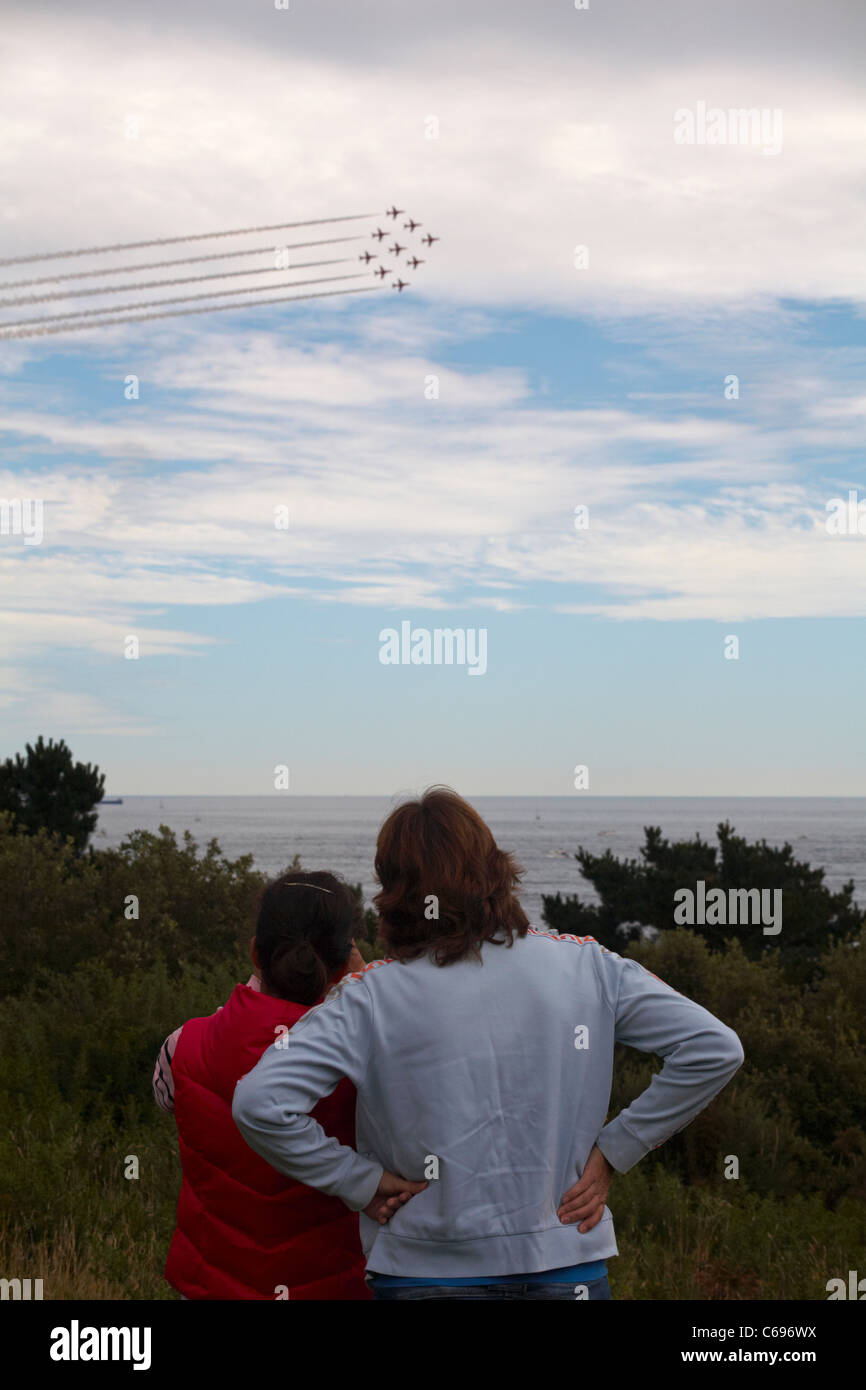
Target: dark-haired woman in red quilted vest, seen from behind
(244, 1231)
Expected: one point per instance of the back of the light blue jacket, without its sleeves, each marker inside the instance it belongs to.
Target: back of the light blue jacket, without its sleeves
(504, 1111)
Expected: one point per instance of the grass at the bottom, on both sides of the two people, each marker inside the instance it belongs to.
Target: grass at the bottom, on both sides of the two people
(90, 1232)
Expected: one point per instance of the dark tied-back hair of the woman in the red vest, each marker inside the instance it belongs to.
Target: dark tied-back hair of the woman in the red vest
(304, 935)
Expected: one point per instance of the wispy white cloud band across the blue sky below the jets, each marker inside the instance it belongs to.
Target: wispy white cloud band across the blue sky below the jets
(411, 502)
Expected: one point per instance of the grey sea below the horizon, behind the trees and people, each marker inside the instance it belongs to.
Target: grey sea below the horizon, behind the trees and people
(544, 833)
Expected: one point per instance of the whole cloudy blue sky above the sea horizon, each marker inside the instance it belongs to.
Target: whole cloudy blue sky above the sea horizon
(600, 437)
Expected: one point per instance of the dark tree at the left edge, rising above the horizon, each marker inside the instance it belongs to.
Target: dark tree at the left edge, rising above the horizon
(48, 792)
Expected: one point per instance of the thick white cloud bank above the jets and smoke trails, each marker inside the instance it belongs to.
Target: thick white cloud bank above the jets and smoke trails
(575, 148)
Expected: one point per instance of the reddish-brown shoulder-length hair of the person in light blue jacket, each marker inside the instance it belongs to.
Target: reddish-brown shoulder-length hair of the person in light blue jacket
(441, 847)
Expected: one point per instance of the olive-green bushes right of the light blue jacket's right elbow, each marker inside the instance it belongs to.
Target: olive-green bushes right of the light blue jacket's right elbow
(796, 1113)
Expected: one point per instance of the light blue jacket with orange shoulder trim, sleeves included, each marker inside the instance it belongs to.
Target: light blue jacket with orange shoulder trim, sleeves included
(501, 1072)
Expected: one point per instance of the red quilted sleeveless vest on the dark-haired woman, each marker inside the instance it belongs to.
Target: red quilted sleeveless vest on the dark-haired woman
(244, 1229)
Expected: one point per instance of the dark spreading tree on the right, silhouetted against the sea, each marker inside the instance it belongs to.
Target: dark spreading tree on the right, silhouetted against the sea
(642, 893)
